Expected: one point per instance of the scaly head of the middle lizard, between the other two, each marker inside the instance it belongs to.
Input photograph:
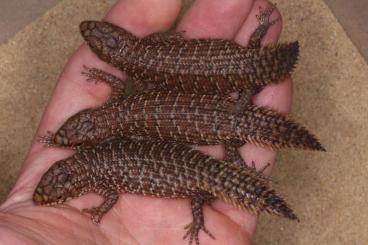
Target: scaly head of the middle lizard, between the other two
(78, 130)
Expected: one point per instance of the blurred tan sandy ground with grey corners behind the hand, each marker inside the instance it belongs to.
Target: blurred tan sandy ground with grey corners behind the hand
(327, 190)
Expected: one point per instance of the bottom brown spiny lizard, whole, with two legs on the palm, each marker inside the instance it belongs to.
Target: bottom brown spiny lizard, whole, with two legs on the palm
(158, 169)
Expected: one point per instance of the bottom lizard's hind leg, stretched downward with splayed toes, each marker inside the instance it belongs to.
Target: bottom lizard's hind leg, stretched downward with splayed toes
(197, 224)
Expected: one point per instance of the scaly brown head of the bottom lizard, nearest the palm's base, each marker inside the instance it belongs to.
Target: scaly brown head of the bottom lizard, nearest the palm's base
(55, 186)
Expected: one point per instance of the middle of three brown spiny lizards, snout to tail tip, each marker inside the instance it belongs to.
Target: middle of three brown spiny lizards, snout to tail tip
(190, 118)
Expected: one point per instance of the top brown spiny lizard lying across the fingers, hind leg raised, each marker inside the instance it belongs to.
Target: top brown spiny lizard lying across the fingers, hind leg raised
(195, 65)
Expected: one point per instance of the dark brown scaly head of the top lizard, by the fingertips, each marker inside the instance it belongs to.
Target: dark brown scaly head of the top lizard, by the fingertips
(108, 41)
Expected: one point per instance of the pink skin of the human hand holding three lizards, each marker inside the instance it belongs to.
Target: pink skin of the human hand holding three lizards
(136, 219)
